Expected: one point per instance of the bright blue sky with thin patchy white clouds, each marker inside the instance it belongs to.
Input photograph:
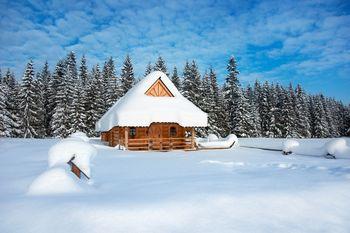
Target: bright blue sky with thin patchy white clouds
(305, 42)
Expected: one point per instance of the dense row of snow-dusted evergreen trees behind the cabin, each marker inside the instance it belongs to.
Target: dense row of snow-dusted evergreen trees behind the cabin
(71, 98)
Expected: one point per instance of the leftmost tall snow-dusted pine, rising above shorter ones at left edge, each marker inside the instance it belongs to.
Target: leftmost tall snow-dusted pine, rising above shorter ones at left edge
(27, 105)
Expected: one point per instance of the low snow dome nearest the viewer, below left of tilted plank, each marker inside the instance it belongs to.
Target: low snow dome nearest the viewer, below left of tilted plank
(53, 181)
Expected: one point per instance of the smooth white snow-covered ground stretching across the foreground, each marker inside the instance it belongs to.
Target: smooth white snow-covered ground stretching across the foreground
(236, 190)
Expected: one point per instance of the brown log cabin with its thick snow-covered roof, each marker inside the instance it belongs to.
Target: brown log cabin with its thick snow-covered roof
(153, 115)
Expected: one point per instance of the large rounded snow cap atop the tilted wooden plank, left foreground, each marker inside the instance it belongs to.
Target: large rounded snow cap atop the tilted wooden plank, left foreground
(64, 150)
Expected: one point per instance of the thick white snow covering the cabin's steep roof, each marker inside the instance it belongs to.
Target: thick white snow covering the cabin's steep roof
(137, 109)
